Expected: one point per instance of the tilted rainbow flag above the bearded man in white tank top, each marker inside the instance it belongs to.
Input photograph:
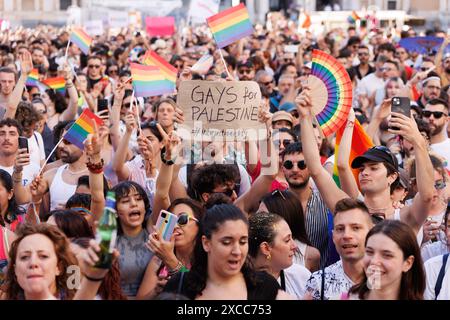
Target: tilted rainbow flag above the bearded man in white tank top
(83, 126)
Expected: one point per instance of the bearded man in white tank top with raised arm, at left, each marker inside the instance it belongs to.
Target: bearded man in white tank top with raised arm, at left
(59, 182)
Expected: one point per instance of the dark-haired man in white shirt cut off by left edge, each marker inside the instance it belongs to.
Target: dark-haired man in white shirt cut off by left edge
(9, 151)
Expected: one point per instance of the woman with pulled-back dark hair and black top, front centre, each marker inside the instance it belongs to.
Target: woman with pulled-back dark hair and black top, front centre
(220, 269)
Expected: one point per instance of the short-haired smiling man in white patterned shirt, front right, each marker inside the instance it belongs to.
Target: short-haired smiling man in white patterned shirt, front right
(352, 222)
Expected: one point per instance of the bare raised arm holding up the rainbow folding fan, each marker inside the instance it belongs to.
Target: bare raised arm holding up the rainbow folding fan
(324, 182)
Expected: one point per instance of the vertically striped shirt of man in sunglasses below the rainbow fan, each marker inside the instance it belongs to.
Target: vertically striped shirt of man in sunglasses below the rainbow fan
(317, 224)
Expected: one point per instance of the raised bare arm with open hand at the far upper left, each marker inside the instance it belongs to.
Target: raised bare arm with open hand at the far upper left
(26, 65)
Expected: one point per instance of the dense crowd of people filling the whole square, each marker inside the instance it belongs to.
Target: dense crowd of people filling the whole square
(244, 230)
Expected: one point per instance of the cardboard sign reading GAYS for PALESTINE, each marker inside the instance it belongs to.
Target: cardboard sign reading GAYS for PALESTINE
(221, 110)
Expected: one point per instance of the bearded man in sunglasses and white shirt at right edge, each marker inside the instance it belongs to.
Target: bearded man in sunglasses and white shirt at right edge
(436, 115)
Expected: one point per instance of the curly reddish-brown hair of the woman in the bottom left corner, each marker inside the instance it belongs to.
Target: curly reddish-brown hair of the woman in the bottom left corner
(62, 250)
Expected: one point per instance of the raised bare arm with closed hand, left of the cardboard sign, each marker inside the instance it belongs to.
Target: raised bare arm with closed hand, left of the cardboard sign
(119, 167)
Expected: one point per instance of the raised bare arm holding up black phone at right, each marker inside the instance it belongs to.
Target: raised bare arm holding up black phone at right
(416, 214)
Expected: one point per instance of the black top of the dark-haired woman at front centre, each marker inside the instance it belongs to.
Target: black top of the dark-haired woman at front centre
(265, 287)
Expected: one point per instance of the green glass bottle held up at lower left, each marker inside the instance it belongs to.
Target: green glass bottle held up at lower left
(107, 232)
